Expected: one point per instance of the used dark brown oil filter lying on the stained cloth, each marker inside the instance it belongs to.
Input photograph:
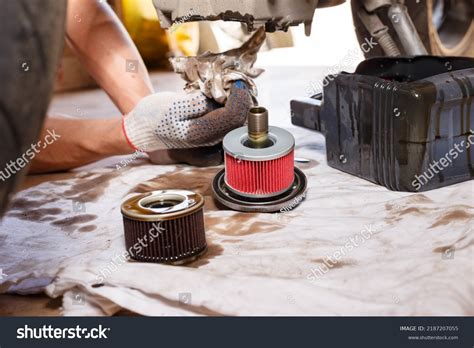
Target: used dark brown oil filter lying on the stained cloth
(165, 226)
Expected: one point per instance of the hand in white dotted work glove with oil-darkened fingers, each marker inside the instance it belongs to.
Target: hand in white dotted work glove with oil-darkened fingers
(176, 121)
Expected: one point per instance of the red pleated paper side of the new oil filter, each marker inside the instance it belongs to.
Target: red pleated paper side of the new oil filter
(259, 177)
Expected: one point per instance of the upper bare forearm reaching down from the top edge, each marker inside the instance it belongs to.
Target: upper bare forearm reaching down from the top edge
(102, 44)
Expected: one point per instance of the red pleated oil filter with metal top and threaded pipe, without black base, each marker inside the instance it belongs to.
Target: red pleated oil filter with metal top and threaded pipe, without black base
(259, 159)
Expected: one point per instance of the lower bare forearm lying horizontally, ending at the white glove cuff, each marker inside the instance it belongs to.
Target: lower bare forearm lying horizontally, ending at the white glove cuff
(80, 142)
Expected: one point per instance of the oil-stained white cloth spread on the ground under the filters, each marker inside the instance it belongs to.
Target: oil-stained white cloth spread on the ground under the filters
(350, 248)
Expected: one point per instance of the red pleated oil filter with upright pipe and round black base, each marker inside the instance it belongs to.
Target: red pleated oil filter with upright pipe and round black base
(259, 173)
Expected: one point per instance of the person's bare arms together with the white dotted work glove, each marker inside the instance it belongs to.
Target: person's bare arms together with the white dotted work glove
(171, 126)
